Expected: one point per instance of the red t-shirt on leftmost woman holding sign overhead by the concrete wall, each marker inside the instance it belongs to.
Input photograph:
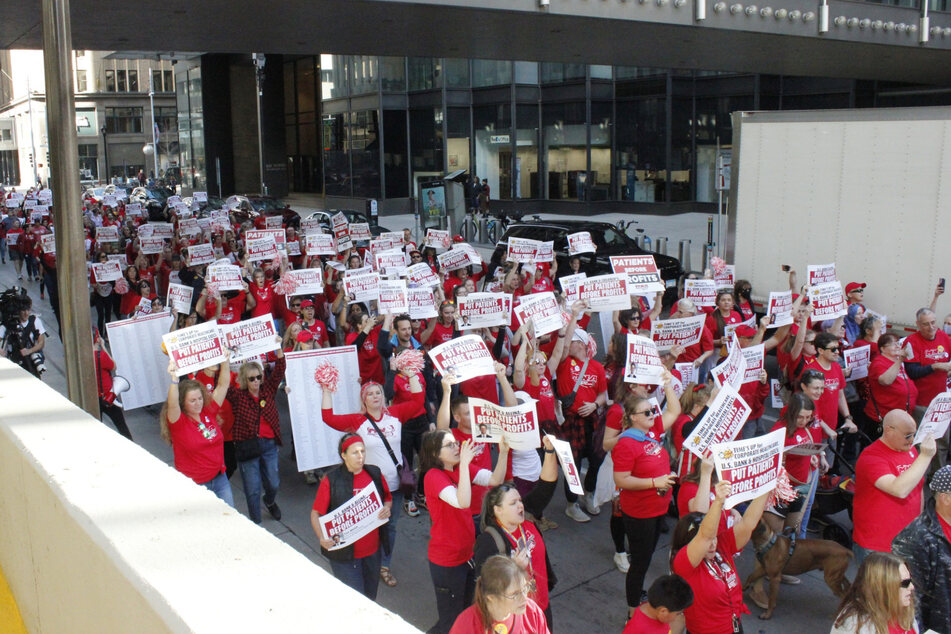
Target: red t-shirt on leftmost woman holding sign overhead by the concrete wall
(199, 454)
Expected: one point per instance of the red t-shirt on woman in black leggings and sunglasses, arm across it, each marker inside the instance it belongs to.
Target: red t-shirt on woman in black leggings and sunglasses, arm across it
(642, 460)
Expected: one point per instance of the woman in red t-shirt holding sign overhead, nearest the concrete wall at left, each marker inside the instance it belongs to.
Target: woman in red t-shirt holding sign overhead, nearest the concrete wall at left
(187, 421)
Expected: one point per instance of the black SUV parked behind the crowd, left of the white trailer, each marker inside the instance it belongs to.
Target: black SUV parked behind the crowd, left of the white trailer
(609, 240)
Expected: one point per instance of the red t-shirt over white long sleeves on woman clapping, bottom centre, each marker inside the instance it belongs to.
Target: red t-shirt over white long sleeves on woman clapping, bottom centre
(452, 534)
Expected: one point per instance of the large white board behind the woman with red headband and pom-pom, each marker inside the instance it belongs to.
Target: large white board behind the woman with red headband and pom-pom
(315, 443)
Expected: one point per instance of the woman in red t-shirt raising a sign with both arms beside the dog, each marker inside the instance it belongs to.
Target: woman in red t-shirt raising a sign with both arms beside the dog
(703, 556)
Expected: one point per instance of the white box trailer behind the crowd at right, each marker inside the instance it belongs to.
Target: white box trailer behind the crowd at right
(867, 189)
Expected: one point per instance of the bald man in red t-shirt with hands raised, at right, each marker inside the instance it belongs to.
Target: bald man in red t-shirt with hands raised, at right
(888, 484)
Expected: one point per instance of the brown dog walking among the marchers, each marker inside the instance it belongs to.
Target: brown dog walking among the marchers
(773, 559)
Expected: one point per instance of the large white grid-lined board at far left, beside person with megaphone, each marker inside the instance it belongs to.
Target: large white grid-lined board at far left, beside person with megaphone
(135, 349)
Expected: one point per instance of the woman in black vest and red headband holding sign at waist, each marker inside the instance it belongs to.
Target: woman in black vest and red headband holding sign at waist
(358, 564)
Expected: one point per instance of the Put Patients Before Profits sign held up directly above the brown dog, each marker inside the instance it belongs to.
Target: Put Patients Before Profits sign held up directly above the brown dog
(750, 466)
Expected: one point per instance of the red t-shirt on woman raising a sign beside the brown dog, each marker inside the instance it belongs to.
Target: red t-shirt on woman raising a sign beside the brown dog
(717, 592)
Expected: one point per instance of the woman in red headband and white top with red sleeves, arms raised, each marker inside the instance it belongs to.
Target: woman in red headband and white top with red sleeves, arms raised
(381, 427)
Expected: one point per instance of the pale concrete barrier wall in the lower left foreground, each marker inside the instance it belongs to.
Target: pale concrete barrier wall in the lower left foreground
(97, 535)
